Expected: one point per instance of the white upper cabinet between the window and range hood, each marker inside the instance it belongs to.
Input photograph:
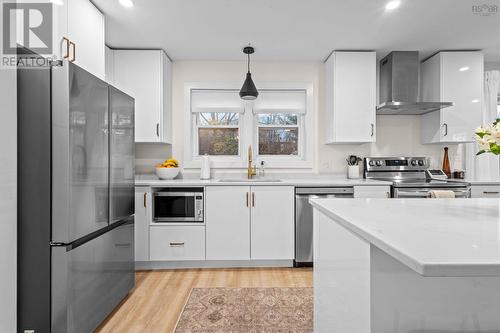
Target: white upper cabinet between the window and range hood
(350, 90)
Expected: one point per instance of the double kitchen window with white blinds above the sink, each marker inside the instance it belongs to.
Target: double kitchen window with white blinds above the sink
(222, 126)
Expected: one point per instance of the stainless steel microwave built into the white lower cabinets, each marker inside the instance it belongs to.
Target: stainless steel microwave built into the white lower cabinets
(178, 207)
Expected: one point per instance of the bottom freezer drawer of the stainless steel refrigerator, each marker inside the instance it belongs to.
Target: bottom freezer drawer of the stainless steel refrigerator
(90, 280)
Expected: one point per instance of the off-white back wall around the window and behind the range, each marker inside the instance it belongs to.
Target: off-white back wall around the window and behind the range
(396, 135)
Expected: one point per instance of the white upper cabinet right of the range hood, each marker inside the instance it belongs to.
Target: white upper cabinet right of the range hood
(455, 77)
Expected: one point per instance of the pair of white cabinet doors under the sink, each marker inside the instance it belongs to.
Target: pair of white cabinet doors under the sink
(249, 222)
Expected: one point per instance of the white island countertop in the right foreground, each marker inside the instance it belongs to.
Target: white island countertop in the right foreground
(435, 237)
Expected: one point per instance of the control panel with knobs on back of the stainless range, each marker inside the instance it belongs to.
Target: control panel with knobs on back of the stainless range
(396, 163)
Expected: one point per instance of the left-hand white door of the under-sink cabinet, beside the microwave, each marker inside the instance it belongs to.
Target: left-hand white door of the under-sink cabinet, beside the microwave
(227, 217)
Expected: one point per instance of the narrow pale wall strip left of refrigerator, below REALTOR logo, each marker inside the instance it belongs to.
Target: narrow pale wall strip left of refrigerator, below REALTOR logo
(8, 203)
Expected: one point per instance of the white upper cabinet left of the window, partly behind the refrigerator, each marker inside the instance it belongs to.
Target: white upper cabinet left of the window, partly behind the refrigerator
(146, 75)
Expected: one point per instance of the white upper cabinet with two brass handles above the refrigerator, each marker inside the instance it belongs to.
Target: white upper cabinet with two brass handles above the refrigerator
(80, 35)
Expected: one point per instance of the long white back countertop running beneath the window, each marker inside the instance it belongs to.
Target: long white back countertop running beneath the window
(320, 180)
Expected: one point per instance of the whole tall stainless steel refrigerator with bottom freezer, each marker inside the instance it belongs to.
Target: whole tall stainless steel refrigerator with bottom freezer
(75, 198)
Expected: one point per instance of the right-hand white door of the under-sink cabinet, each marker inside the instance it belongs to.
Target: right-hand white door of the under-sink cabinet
(272, 222)
